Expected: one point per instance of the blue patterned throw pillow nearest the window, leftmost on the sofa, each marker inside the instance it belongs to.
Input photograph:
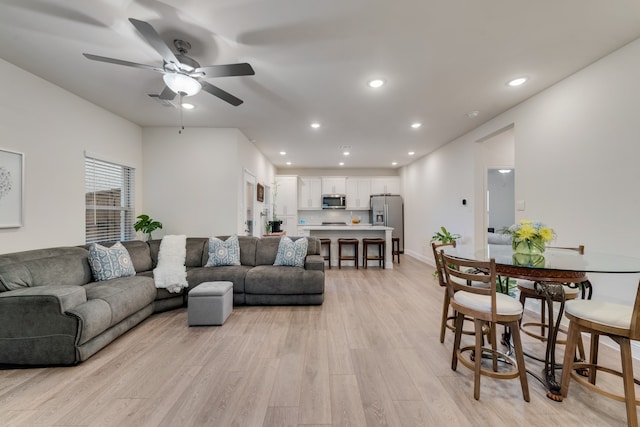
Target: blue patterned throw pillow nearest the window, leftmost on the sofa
(110, 263)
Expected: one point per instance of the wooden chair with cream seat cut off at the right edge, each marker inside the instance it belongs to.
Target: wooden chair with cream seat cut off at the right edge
(619, 322)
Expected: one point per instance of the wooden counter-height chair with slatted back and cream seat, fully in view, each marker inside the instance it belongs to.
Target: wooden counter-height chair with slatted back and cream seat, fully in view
(487, 307)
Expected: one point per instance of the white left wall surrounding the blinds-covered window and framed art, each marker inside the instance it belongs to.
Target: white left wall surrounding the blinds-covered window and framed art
(54, 128)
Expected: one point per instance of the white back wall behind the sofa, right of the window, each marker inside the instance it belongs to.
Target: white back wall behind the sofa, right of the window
(194, 180)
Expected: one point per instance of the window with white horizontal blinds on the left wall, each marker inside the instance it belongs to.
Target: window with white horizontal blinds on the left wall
(109, 199)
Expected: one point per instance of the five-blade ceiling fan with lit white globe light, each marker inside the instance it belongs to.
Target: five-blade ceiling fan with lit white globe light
(182, 75)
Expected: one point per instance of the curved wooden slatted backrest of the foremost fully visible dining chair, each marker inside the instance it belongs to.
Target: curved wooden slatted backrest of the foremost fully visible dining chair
(470, 275)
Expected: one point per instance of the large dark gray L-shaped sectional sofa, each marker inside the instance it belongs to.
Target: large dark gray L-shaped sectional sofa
(53, 313)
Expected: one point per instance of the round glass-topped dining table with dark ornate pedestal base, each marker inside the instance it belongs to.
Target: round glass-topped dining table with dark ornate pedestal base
(550, 271)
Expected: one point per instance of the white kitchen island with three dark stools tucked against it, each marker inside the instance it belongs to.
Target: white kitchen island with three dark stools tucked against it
(355, 231)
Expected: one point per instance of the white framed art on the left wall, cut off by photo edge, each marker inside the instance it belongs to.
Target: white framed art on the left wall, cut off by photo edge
(11, 188)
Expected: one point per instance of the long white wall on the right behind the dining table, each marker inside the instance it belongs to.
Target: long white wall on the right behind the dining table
(576, 155)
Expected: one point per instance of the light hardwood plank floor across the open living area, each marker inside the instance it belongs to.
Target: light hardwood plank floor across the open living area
(370, 355)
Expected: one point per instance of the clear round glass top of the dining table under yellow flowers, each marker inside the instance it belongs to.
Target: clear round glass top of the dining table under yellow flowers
(552, 259)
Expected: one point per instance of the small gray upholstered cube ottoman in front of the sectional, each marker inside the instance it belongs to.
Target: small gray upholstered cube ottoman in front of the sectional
(210, 303)
